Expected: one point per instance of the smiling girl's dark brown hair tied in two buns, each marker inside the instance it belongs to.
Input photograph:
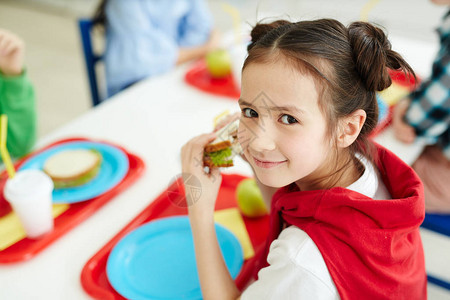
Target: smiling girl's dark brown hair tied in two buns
(351, 63)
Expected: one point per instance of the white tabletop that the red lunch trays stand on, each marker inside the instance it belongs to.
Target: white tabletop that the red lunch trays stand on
(153, 120)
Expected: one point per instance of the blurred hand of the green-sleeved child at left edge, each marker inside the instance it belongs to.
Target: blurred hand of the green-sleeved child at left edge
(12, 50)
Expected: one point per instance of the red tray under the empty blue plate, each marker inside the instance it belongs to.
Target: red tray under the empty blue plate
(93, 275)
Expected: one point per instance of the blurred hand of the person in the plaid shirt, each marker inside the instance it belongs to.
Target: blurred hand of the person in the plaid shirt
(402, 130)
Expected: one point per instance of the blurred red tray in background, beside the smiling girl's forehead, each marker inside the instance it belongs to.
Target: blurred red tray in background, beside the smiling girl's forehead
(199, 77)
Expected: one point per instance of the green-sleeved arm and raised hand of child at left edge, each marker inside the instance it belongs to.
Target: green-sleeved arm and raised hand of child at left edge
(17, 98)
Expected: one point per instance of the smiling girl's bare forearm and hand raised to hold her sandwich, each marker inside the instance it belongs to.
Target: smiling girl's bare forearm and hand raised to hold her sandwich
(214, 277)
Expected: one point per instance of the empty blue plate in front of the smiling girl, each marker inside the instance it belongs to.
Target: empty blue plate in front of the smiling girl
(157, 260)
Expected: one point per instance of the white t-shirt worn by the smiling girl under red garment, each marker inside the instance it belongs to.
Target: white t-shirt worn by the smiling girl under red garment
(296, 267)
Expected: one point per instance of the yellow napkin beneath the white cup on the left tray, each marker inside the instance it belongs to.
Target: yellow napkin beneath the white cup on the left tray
(11, 230)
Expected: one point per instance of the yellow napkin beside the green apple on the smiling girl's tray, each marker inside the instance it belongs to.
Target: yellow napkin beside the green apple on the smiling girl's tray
(232, 220)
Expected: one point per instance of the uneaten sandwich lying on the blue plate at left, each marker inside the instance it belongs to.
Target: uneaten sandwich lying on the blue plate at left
(72, 168)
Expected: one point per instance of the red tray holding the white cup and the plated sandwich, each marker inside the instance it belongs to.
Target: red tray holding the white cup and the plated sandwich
(75, 214)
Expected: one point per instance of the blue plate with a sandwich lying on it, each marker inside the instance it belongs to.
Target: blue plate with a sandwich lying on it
(113, 169)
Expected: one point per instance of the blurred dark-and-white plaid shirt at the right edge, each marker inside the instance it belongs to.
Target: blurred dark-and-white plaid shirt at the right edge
(429, 112)
